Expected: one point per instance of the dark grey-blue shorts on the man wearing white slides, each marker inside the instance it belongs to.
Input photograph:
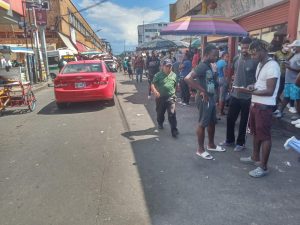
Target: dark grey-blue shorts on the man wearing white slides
(207, 111)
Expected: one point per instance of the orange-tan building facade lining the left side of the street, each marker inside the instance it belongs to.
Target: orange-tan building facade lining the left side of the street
(65, 27)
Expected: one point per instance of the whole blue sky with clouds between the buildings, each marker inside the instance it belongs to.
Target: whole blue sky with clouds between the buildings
(119, 19)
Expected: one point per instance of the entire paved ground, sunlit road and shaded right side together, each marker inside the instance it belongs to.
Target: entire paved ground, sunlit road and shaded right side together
(97, 163)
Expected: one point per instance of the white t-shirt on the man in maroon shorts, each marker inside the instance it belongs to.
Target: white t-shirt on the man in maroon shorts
(270, 70)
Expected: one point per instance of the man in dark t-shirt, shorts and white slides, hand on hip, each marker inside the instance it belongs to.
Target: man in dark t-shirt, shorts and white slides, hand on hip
(205, 85)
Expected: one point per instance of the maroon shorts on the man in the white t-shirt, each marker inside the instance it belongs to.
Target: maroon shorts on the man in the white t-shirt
(260, 121)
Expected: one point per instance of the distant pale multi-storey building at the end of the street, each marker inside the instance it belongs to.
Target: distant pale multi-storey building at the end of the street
(148, 32)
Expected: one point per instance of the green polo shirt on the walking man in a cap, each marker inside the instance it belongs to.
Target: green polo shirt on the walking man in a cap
(165, 84)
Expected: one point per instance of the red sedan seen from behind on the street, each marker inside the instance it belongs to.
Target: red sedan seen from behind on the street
(83, 81)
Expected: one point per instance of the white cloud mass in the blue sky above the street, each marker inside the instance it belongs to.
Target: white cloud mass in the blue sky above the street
(119, 23)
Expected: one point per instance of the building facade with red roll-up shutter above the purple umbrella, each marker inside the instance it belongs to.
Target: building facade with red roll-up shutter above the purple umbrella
(261, 18)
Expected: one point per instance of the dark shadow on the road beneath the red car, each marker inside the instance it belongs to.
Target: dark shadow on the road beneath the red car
(73, 108)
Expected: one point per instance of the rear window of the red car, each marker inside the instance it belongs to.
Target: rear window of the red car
(83, 68)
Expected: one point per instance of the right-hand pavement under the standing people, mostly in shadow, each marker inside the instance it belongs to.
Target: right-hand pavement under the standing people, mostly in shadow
(180, 188)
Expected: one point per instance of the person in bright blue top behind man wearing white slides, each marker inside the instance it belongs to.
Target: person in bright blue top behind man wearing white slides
(223, 81)
